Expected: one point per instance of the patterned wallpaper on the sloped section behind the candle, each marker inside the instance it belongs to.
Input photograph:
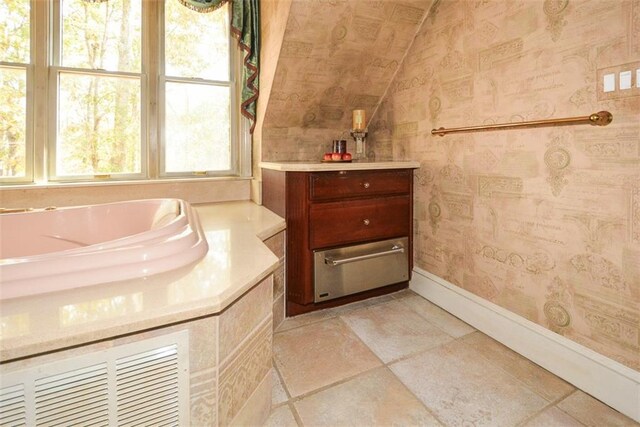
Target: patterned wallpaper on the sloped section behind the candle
(336, 56)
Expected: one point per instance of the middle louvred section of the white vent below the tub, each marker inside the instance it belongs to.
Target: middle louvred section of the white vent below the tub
(77, 397)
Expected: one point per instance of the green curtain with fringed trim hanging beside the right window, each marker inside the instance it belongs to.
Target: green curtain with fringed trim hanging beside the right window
(245, 25)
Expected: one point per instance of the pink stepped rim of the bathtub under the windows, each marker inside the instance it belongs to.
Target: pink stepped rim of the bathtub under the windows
(86, 266)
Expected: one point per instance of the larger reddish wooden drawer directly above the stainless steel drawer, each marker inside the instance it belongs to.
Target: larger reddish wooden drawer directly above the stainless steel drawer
(338, 223)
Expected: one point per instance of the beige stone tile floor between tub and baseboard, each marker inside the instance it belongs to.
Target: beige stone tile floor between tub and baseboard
(400, 360)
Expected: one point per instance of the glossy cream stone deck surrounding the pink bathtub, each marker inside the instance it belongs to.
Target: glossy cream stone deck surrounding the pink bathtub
(249, 225)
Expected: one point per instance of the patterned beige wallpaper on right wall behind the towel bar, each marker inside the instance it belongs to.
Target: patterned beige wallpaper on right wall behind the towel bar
(544, 222)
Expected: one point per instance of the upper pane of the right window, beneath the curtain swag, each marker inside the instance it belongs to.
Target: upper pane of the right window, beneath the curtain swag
(196, 44)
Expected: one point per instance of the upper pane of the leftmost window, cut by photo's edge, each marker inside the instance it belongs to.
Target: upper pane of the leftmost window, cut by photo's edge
(14, 31)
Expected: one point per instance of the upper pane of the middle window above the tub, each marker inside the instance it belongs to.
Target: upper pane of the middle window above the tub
(101, 35)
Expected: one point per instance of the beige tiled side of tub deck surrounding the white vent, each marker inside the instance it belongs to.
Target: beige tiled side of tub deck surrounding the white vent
(230, 363)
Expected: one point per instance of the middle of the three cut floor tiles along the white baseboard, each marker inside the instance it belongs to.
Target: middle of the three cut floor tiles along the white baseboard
(533, 376)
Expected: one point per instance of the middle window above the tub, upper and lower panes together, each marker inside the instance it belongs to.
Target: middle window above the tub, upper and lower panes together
(97, 89)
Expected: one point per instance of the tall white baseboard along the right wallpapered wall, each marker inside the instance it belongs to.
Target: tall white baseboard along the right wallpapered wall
(609, 381)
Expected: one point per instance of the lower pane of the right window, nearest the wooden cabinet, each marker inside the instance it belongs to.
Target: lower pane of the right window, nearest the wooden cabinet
(197, 128)
